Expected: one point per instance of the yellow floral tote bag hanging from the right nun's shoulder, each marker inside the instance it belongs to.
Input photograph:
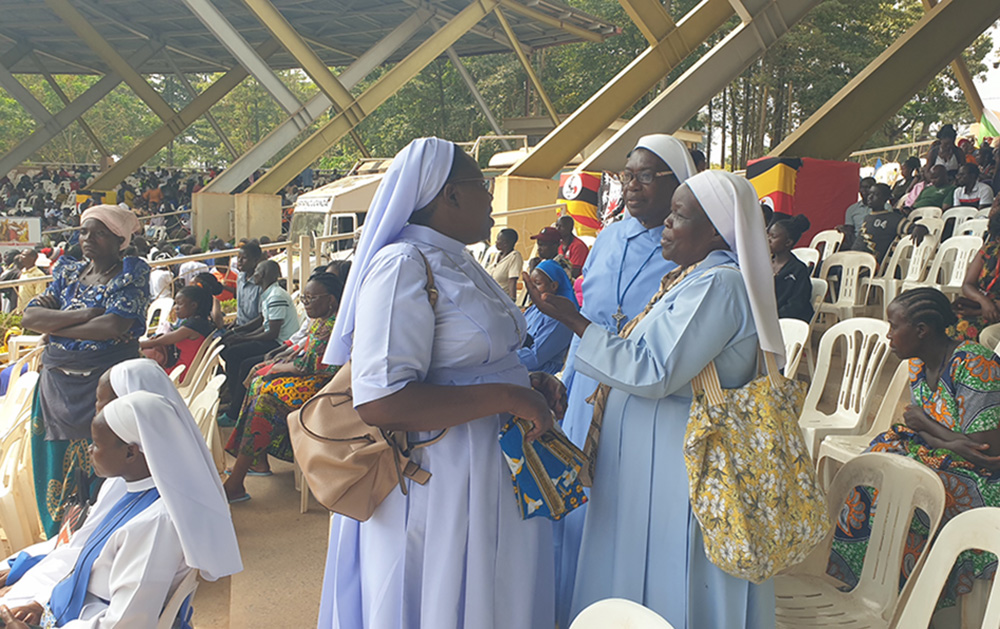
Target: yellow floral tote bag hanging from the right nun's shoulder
(752, 483)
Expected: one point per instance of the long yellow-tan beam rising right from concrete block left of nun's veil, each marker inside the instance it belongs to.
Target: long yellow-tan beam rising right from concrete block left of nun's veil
(333, 131)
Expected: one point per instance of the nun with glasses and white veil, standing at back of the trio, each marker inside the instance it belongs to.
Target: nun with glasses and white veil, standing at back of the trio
(621, 273)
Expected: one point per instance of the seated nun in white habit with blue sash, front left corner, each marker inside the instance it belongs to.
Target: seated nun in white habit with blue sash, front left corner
(160, 514)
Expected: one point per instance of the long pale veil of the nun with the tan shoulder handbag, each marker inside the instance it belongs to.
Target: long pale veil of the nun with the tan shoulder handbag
(414, 178)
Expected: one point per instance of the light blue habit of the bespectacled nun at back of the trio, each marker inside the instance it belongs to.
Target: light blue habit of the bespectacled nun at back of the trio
(627, 250)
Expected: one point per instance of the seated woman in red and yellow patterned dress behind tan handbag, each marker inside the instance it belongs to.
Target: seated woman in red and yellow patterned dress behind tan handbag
(279, 388)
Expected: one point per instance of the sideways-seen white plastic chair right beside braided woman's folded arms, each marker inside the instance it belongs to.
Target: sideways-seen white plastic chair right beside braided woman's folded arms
(836, 450)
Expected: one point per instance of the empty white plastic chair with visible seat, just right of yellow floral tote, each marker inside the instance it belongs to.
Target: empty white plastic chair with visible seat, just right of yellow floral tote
(806, 597)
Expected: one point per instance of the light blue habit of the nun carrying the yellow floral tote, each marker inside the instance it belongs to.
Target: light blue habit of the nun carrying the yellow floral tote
(641, 541)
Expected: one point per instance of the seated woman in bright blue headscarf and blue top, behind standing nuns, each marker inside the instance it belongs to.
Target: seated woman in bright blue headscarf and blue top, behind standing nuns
(547, 342)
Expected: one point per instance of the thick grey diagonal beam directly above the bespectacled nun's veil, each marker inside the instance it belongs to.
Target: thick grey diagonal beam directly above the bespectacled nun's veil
(672, 108)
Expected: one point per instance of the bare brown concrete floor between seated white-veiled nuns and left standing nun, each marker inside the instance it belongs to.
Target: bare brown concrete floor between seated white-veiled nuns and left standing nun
(284, 553)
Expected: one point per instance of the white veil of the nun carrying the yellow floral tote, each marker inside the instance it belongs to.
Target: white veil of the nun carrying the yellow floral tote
(731, 204)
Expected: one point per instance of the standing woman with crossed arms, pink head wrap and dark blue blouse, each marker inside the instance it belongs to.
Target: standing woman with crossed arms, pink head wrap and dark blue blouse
(93, 312)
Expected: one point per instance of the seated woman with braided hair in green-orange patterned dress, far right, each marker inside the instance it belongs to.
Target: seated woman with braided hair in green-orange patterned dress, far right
(952, 426)
